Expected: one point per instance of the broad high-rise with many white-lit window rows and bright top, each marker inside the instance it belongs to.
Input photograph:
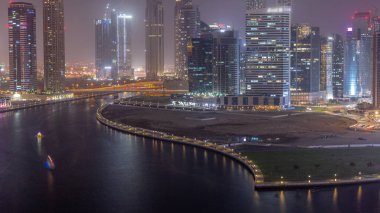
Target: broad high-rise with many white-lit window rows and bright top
(268, 54)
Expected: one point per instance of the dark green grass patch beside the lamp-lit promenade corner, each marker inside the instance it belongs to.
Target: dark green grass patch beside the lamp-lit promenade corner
(321, 164)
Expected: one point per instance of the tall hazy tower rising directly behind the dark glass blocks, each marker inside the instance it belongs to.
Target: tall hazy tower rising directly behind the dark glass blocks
(187, 26)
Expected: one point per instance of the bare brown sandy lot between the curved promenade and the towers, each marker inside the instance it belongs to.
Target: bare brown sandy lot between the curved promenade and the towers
(220, 126)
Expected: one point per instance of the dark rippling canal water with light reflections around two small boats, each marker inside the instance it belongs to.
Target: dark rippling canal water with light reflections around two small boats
(101, 170)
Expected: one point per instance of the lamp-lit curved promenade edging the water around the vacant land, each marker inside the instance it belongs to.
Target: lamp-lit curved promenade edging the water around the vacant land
(260, 183)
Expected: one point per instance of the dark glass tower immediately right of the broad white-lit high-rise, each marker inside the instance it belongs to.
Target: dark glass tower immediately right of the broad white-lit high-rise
(305, 64)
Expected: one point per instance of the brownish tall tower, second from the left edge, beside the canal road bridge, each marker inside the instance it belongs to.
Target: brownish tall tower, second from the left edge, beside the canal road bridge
(54, 45)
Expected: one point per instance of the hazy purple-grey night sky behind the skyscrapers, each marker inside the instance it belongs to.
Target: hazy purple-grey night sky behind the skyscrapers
(330, 15)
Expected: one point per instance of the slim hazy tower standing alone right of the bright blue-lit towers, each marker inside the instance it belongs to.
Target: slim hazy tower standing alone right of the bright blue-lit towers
(154, 42)
